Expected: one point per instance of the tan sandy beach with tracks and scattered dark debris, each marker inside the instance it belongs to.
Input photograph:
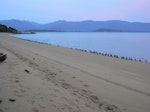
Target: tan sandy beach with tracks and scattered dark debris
(39, 77)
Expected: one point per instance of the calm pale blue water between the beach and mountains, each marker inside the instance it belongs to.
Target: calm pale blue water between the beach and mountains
(134, 45)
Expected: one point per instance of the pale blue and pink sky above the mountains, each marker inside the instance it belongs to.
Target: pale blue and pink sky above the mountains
(45, 11)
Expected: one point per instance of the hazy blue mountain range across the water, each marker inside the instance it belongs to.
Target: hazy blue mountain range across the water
(82, 26)
